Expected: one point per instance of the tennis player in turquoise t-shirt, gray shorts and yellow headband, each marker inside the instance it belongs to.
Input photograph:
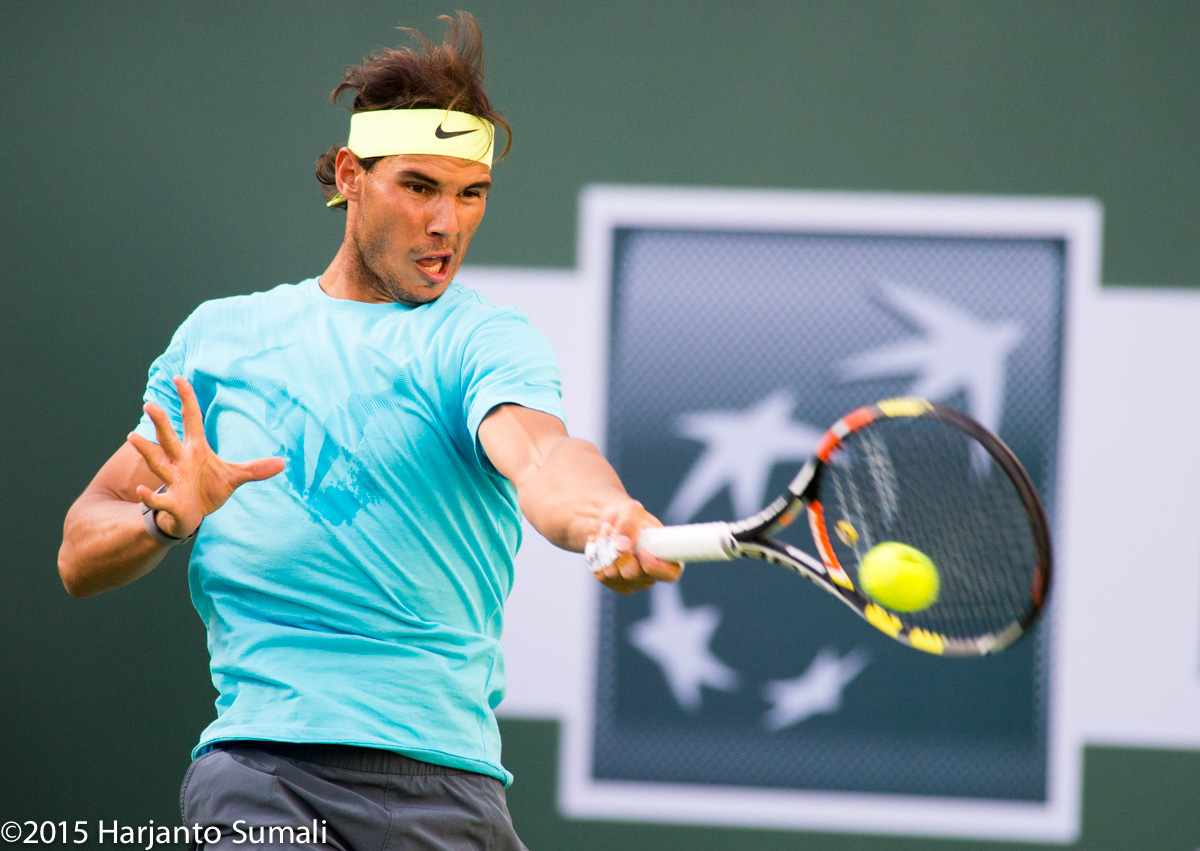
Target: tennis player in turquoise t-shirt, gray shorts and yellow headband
(351, 456)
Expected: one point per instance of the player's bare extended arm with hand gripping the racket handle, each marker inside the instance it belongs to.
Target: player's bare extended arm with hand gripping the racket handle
(571, 494)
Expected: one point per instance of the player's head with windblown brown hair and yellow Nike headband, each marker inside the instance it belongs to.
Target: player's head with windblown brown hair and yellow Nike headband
(416, 173)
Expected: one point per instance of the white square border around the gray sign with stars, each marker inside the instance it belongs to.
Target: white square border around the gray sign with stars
(1078, 224)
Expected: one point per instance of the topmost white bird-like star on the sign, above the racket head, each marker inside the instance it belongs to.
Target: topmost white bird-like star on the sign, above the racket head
(956, 352)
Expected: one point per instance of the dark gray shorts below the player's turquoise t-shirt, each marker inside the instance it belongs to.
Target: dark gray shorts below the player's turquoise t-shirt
(328, 796)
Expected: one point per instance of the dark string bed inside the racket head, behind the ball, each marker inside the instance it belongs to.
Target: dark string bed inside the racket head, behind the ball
(927, 484)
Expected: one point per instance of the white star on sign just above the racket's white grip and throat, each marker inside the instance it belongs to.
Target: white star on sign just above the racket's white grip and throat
(741, 450)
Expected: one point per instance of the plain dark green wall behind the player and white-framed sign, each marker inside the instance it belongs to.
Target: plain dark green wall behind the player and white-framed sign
(161, 154)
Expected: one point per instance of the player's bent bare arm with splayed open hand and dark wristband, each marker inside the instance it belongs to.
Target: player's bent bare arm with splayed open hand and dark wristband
(105, 541)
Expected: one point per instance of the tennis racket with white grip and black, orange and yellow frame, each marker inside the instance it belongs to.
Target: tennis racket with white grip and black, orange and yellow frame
(907, 471)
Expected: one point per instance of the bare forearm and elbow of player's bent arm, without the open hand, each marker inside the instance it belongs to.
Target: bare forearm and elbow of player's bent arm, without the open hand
(105, 542)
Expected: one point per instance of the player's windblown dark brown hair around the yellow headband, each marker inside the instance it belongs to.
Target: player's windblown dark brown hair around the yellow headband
(447, 76)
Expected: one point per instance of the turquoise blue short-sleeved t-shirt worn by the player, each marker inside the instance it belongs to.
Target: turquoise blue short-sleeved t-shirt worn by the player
(358, 597)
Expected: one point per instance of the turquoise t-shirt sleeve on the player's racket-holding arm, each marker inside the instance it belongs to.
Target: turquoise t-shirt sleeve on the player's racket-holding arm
(507, 361)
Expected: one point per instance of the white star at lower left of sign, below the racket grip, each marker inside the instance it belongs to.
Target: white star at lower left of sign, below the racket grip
(677, 639)
